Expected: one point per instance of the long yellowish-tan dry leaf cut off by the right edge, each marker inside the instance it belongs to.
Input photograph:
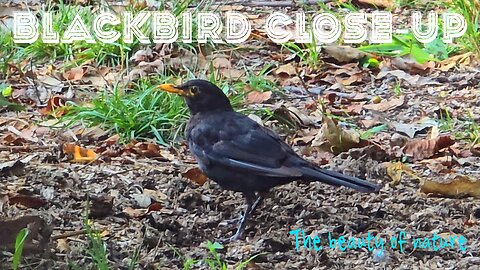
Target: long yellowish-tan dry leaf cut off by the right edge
(460, 185)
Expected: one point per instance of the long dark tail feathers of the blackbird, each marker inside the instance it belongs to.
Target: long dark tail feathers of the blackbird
(337, 179)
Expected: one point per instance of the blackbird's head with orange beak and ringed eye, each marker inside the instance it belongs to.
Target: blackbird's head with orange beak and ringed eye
(200, 95)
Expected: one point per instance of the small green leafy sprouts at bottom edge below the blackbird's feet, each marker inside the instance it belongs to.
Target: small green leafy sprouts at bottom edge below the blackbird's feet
(215, 263)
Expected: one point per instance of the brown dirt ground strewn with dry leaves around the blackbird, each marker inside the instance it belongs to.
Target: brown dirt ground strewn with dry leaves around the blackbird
(147, 203)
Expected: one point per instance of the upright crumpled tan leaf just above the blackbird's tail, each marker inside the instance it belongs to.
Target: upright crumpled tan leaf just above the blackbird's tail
(334, 138)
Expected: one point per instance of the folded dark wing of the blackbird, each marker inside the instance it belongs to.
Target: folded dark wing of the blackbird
(244, 145)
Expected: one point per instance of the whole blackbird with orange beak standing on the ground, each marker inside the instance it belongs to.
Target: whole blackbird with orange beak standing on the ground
(241, 155)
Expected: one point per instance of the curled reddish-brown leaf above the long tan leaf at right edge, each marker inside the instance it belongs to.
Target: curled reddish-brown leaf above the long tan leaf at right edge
(421, 149)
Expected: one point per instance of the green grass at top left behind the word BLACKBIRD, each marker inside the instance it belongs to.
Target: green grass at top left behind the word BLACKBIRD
(79, 52)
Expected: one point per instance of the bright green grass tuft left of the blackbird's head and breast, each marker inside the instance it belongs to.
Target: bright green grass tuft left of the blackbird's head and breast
(138, 113)
